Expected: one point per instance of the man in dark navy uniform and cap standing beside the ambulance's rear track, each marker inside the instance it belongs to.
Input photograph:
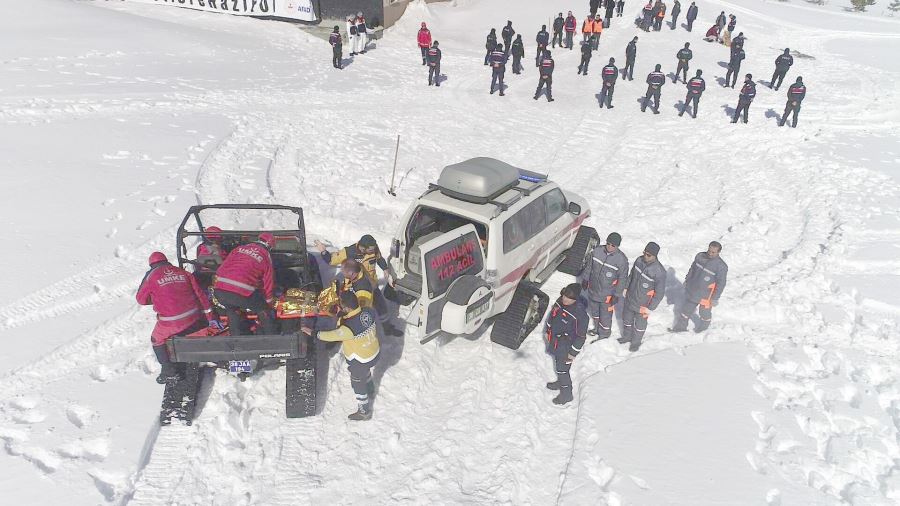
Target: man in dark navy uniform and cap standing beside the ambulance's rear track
(566, 330)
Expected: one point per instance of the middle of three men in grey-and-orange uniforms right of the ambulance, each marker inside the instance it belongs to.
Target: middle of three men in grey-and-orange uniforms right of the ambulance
(645, 289)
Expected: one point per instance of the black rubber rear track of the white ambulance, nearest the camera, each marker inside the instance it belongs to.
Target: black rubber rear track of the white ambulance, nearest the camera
(524, 313)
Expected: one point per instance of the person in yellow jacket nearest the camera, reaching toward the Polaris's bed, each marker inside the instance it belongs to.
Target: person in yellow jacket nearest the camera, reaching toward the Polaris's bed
(357, 331)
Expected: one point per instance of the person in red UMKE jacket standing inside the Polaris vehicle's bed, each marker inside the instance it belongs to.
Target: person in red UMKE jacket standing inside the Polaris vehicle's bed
(246, 280)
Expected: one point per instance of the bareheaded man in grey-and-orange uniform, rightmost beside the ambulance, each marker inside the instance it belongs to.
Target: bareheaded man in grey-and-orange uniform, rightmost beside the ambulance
(703, 285)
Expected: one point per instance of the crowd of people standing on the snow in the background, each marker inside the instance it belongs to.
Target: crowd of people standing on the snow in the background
(509, 44)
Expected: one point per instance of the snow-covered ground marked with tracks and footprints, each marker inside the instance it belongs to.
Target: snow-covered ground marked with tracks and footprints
(114, 117)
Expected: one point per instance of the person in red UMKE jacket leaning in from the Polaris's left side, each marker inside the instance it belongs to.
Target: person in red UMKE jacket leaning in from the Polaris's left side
(180, 305)
